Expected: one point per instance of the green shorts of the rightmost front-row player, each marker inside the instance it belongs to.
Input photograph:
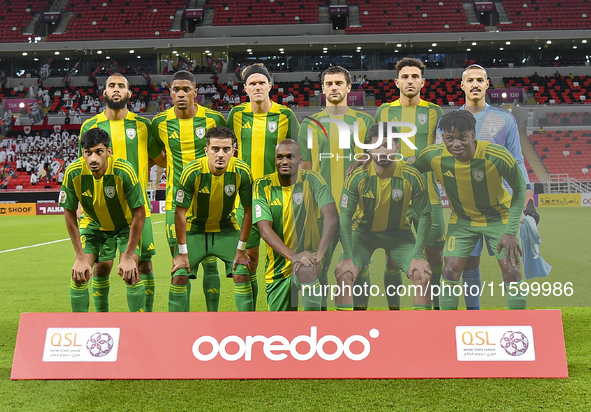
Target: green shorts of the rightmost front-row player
(462, 238)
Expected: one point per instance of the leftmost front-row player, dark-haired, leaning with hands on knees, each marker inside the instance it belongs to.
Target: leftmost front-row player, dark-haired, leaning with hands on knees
(112, 200)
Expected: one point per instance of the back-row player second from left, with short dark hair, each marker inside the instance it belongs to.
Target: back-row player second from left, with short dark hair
(181, 130)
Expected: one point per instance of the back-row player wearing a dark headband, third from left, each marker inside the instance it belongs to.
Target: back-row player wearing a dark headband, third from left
(259, 125)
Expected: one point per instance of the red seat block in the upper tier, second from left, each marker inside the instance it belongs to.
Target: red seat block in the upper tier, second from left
(117, 19)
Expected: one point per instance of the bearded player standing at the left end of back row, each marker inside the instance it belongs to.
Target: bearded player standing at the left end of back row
(132, 140)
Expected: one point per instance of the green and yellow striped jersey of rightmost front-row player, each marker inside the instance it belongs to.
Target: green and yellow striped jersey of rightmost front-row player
(475, 188)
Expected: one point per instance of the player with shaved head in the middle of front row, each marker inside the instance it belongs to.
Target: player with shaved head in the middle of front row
(287, 206)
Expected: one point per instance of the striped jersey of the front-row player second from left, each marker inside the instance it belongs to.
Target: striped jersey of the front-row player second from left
(210, 199)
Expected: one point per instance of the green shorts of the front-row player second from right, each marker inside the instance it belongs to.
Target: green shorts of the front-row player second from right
(398, 245)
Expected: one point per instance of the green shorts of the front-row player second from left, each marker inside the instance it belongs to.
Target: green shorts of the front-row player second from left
(220, 244)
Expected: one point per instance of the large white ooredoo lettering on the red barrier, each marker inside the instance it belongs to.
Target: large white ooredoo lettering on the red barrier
(277, 347)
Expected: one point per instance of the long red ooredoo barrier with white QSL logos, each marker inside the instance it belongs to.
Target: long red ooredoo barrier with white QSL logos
(301, 345)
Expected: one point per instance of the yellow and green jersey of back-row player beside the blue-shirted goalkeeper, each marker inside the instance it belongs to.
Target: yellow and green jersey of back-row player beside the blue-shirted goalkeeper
(425, 117)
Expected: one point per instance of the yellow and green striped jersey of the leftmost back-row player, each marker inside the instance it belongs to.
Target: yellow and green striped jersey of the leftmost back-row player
(131, 139)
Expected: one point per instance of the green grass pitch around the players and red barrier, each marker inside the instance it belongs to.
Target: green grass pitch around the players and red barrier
(36, 280)
